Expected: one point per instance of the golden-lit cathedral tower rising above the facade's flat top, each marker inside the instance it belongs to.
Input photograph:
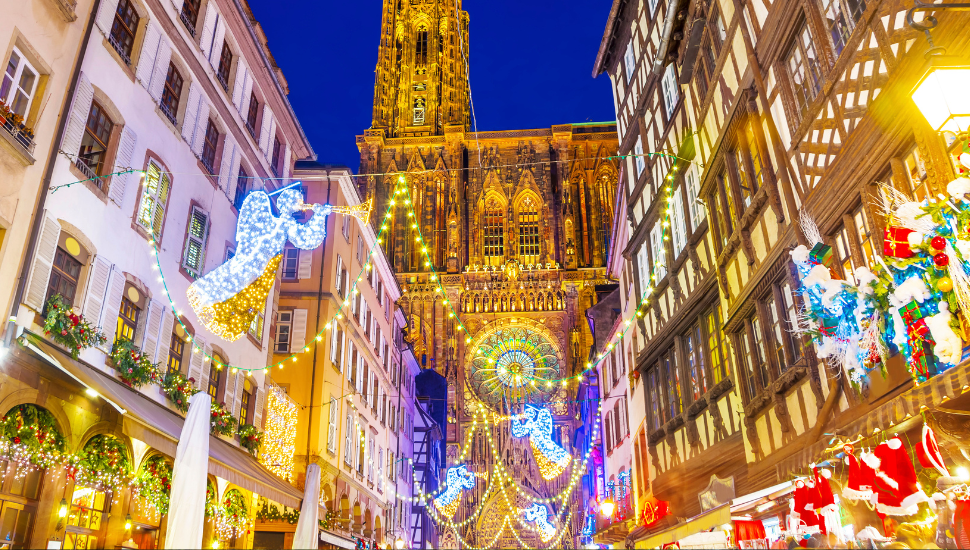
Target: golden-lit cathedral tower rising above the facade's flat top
(421, 79)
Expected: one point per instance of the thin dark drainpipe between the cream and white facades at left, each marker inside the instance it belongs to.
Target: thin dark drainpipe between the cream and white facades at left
(43, 190)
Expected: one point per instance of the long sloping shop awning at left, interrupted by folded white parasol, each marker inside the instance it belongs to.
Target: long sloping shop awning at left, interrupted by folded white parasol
(160, 427)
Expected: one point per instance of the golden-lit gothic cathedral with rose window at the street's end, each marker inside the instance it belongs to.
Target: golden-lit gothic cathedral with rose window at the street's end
(516, 224)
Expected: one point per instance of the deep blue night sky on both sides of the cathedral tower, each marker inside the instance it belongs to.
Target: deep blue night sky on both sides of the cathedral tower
(531, 64)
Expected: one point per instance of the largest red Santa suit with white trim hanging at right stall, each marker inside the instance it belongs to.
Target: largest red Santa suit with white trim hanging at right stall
(897, 493)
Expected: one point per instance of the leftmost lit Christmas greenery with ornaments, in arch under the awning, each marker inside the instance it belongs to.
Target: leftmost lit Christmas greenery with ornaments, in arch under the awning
(31, 436)
